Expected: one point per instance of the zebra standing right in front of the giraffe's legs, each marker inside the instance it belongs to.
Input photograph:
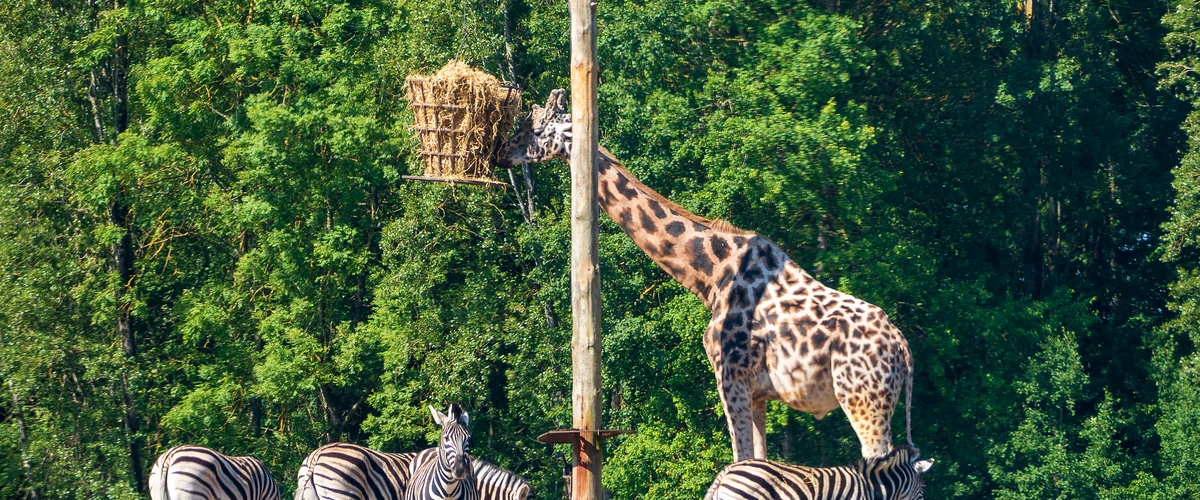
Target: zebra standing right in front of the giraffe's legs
(895, 477)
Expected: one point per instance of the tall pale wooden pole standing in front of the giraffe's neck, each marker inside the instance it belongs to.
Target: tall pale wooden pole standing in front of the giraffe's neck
(585, 254)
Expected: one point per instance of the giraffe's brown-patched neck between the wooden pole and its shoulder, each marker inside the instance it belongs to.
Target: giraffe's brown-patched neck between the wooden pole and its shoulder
(688, 248)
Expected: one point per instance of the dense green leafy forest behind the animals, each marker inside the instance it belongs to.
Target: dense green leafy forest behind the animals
(205, 237)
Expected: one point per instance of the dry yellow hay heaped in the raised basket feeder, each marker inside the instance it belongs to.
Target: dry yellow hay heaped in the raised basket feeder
(463, 116)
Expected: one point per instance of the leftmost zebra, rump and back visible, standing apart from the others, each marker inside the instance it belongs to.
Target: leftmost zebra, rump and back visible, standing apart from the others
(196, 473)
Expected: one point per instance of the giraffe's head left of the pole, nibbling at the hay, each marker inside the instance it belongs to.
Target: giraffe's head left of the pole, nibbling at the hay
(545, 135)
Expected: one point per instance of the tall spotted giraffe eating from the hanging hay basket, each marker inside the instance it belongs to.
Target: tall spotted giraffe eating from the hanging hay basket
(776, 332)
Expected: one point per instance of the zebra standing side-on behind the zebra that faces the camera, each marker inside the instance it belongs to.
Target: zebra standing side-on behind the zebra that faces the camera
(346, 472)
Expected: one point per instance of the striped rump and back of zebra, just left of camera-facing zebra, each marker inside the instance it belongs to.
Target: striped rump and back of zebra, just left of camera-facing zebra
(346, 472)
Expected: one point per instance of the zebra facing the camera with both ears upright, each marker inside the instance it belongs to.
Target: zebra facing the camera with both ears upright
(451, 477)
